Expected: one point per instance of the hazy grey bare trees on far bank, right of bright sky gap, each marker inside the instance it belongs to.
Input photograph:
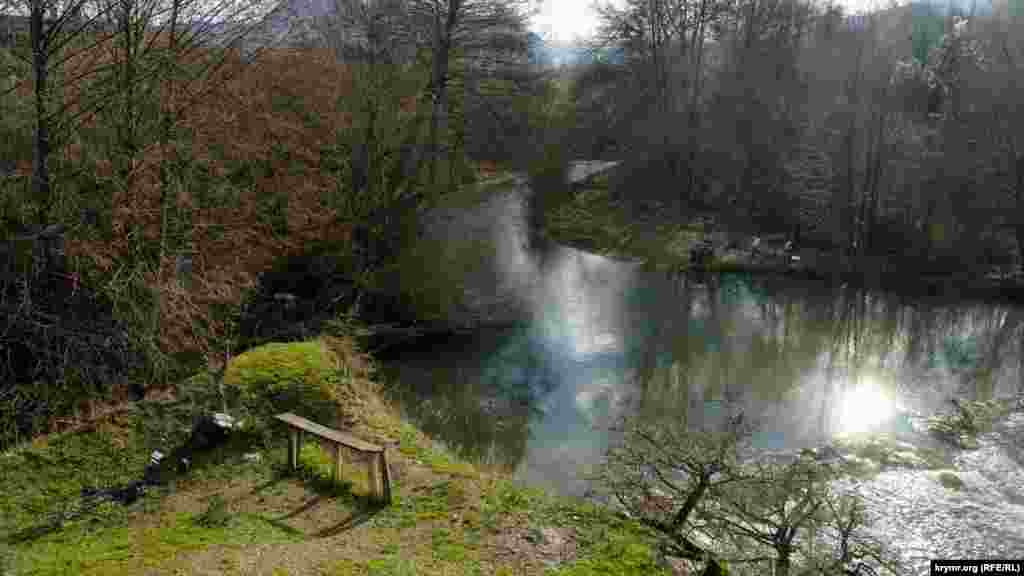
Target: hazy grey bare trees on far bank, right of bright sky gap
(892, 133)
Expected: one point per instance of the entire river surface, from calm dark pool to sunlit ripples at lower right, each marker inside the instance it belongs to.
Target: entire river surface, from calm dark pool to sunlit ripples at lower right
(592, 339)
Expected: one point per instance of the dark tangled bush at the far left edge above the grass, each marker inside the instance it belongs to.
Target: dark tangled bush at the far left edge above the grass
(60, 344)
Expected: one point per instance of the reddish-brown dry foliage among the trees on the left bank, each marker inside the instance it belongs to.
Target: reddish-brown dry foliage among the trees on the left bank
(244, 121)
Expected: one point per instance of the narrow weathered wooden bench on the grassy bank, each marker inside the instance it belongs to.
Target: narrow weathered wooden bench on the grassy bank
(380, 484)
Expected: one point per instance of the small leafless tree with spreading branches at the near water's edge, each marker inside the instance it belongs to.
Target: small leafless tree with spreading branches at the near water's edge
(698, 485)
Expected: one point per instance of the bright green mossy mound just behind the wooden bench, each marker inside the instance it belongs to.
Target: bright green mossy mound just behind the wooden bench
(306, 379)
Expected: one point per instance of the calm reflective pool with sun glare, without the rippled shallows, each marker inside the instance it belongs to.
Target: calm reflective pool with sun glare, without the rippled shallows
(813, 360)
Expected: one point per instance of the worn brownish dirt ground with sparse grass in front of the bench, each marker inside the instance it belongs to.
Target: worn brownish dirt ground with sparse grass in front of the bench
(336, 537)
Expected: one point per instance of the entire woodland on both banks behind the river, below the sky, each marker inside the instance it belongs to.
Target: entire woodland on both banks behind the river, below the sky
(165, 162)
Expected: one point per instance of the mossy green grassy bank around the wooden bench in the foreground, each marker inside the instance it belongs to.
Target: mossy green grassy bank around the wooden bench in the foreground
(232, 515)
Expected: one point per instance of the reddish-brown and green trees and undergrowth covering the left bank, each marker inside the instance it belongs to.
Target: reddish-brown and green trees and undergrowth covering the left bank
(195, 175)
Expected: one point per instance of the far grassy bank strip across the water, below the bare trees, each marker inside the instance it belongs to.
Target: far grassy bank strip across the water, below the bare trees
(591, 220)
